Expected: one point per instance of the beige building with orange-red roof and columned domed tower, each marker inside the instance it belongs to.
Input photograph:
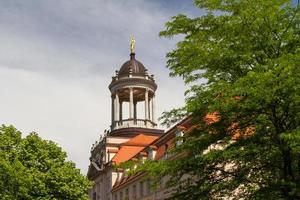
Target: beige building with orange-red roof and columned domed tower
(133, 135)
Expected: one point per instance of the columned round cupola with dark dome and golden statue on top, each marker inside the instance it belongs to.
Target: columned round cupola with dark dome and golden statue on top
(134, 88)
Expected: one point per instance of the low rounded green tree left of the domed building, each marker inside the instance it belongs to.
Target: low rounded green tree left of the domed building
(33, 168)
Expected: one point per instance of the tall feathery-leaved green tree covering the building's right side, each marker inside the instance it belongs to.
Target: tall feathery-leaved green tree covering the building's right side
(248, 54)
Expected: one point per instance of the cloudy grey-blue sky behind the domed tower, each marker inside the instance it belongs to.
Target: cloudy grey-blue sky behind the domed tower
(57, 59)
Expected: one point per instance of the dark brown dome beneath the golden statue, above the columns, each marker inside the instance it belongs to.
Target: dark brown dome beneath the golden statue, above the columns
(133, 65)
